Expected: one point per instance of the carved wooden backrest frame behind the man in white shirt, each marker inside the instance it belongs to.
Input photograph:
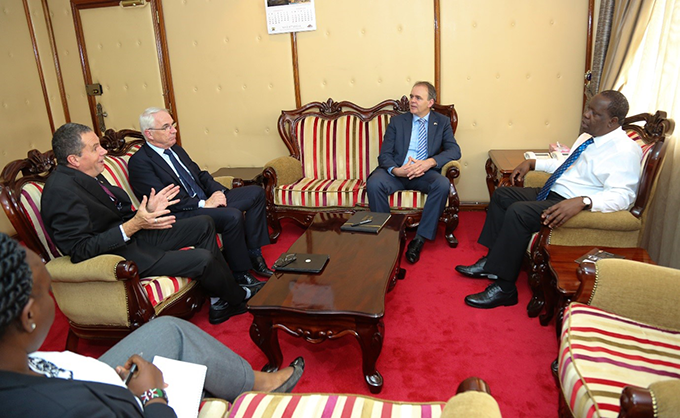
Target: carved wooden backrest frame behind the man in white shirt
(650, 131)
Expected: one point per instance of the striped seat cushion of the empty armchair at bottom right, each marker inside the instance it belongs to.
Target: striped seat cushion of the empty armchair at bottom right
(601, 353)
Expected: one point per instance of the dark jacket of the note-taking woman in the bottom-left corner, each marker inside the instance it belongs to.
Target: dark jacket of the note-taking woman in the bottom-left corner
(36, 396)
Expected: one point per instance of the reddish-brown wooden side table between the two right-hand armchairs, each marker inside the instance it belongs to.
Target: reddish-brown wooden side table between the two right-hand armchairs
(561, 282)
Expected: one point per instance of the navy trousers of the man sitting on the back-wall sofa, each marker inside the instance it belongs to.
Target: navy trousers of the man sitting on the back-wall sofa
(381, 184)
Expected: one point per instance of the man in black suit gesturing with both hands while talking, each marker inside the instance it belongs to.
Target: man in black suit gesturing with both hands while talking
(86, 216)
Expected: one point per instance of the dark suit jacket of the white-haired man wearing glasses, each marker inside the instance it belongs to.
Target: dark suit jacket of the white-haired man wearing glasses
(148, 169)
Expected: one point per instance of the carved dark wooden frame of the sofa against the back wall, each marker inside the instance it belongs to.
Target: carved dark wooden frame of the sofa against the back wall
(331, 110)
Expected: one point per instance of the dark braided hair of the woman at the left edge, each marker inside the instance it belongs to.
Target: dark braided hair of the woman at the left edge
(15, 281)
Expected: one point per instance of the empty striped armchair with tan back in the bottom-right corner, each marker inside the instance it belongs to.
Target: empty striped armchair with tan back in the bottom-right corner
(620, 342)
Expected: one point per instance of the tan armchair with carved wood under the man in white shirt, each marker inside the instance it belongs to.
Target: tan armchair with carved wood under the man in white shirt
(615, 229)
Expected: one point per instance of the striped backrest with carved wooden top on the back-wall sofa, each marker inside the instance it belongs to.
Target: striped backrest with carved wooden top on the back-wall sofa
(341, 140)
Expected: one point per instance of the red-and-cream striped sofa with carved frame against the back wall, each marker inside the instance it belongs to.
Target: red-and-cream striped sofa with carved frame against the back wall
(333, 147)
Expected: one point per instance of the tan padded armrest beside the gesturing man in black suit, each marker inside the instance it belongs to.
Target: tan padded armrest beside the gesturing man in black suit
(103, 268)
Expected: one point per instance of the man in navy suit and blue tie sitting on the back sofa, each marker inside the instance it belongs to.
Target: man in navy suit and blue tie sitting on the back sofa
(415, 148)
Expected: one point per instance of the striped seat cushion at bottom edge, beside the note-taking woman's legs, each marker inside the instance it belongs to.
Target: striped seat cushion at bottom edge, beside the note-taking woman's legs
(266, 405)
